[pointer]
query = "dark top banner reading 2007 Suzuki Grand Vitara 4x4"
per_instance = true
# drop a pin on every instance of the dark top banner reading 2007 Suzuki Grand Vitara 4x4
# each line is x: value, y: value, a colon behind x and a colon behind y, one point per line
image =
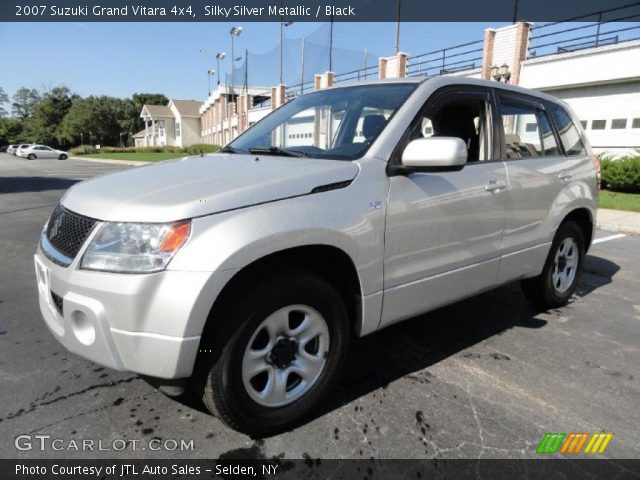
x: 303, y: 10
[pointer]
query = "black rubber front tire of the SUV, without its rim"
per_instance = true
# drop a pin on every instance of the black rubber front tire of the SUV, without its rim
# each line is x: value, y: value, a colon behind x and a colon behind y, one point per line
x: 220, y: 375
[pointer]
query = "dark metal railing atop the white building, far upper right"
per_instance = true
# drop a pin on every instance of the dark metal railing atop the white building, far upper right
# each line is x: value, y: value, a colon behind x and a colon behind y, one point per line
x: 553, y: 38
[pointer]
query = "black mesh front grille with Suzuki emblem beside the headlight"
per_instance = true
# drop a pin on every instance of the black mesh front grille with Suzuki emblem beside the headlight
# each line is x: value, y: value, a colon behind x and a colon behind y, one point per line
x: 67, y: 231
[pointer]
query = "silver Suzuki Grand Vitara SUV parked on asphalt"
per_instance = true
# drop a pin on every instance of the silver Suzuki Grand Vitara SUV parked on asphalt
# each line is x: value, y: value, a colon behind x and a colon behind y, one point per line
x: 340, y: 213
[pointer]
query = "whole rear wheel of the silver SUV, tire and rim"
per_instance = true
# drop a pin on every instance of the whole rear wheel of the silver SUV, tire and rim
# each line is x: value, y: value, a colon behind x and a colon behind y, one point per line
x: 559, y: 278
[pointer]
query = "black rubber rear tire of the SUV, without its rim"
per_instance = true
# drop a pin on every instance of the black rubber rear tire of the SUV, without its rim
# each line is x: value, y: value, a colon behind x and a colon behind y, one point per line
x: 540, y: 290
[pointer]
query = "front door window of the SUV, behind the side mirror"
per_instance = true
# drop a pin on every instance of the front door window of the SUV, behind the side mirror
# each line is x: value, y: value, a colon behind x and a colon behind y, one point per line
x: 453, y: 115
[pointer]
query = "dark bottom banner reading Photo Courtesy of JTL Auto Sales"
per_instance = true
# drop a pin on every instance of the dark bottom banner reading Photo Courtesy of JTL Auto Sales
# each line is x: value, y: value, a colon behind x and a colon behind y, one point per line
x: 310, y: 468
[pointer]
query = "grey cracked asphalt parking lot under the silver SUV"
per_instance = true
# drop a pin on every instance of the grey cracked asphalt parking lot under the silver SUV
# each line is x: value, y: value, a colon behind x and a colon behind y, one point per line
x: 487, y: 377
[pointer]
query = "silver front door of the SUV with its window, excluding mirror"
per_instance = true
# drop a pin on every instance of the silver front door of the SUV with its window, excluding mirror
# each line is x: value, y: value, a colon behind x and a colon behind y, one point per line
x: 444, y: 230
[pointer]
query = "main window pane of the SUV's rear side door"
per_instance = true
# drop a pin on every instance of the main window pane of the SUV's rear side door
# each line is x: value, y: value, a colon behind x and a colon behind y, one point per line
x: 522, y: 131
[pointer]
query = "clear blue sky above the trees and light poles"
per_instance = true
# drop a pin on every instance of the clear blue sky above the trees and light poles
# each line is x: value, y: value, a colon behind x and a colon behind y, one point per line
x: 119, y: 59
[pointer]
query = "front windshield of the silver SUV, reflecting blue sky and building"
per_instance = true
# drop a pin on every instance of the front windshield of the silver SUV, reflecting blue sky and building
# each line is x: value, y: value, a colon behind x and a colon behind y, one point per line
x: 339, y: 123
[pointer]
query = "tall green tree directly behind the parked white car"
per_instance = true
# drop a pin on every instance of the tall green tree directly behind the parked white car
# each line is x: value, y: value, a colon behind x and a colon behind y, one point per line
x: 47, y: 116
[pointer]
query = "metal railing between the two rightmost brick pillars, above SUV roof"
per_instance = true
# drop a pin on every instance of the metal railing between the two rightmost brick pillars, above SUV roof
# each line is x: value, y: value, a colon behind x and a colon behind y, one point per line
x: 466, y: 56
